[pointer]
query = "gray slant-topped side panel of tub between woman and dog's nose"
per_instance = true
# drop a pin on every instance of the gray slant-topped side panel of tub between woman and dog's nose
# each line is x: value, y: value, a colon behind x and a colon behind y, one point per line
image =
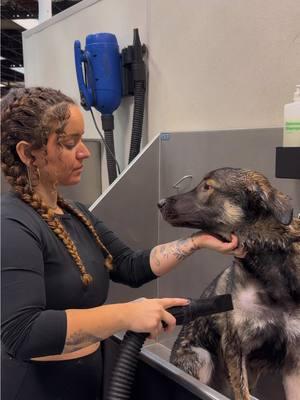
x: 129, y: 209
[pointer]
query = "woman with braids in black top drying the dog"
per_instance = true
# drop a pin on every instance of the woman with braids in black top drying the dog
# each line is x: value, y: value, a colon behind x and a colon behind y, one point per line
x: 57, y: 258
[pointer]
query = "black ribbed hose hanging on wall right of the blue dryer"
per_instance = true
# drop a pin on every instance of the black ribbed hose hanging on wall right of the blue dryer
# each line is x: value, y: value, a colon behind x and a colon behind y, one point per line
x: 137, y: 123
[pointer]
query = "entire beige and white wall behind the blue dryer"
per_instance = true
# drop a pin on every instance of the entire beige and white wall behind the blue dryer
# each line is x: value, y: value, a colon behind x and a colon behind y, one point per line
x: 213, y: 64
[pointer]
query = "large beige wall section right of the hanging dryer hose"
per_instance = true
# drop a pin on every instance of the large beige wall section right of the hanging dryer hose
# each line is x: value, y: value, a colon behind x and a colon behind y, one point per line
x: 217, y: 64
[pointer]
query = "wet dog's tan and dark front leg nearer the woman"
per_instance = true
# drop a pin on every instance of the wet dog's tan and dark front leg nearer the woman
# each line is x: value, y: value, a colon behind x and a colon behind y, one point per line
x: 236, y: 365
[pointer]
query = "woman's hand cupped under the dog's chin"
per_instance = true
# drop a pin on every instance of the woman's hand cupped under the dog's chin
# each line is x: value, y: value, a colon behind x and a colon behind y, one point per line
x: 204, y: 240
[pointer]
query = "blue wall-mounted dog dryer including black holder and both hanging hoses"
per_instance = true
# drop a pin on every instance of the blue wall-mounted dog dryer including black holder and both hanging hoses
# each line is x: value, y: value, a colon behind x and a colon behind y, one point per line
x: 107, y: 76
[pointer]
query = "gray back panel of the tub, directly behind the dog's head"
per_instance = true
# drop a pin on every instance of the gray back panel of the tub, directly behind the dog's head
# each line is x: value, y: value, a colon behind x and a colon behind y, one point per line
x: 197, y: 154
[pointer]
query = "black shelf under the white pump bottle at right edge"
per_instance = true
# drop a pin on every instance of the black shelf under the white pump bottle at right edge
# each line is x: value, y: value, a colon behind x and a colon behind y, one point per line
x: 288, y: 162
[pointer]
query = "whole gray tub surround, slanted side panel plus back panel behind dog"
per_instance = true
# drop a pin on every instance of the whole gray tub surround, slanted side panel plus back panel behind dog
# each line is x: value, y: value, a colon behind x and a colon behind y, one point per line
x: 129, y: 207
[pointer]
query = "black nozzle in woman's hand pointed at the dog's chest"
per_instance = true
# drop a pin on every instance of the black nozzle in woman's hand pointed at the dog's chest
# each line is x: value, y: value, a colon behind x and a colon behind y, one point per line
x: 201, y: 308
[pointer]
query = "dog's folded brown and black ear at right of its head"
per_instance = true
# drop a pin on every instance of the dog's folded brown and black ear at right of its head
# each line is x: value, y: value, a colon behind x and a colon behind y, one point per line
x: 272, y: 200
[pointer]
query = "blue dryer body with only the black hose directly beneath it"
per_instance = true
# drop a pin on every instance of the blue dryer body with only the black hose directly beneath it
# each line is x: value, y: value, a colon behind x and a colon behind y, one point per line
x: 101, y: 86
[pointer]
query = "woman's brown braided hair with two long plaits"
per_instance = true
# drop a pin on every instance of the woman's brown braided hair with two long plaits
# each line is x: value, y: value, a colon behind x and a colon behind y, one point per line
x: 31, y: 114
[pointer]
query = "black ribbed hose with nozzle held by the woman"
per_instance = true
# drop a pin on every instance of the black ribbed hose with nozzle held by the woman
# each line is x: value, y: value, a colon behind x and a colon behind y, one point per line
x: 125, y: 368
